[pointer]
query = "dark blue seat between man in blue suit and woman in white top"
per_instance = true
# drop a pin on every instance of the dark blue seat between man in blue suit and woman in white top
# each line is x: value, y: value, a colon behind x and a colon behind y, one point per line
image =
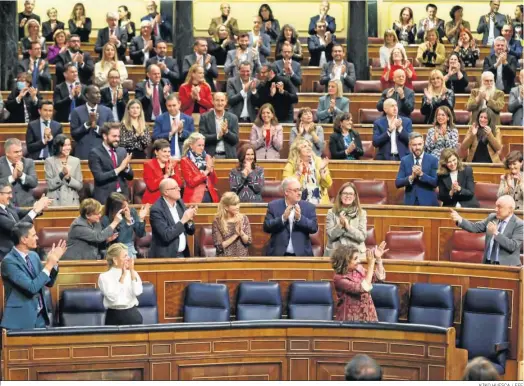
x: 82, y: 307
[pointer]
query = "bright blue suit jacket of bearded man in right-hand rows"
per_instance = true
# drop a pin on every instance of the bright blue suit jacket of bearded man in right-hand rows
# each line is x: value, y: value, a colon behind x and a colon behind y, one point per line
x: 423, y: 188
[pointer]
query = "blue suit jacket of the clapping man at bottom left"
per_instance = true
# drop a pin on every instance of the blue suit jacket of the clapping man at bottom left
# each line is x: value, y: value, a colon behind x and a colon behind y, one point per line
x: 22, y: 289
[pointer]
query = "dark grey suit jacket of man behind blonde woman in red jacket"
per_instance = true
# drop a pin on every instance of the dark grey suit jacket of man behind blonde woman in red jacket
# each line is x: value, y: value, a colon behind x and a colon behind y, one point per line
x: 207, y: 127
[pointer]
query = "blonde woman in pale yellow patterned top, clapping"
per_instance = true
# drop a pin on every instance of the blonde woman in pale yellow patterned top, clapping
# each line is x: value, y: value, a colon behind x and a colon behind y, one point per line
x: 311, y: 170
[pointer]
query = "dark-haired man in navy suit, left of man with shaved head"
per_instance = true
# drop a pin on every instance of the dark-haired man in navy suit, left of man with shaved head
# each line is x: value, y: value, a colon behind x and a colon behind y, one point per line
x: 40, y: 133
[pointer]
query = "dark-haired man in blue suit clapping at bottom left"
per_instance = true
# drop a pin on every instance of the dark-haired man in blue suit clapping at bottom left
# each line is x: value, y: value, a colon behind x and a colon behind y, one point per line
x: 24, y: 277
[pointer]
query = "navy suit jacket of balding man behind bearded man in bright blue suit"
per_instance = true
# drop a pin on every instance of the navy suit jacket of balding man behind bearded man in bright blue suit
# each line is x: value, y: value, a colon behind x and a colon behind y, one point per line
x: 381, y: 138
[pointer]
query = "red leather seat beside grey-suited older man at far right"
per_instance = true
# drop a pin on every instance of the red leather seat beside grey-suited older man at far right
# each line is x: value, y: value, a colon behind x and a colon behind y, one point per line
x: 467, y: 247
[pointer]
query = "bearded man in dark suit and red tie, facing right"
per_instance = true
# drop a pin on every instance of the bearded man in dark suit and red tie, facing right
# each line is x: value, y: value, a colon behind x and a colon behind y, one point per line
x: 109, y: 164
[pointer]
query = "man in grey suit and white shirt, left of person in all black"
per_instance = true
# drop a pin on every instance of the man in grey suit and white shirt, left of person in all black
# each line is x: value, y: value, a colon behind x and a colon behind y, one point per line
x: 239, y: 92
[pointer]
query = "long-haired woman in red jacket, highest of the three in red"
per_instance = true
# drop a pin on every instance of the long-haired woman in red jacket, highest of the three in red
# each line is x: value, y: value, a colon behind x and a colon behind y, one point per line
x: 195, y: 94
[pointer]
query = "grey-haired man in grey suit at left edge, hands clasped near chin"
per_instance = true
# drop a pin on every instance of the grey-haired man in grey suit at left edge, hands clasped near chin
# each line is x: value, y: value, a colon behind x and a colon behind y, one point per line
x: 19, y: 172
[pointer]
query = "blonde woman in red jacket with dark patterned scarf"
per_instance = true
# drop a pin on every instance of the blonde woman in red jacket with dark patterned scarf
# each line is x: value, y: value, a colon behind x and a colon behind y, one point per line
x: 198, y: 171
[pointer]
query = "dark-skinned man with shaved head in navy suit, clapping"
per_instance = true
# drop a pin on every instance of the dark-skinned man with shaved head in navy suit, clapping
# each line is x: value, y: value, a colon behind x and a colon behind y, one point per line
x: 87, y: 121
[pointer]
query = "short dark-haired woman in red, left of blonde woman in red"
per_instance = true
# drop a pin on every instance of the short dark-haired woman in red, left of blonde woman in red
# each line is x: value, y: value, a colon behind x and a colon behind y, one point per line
x: 160, y: 167
